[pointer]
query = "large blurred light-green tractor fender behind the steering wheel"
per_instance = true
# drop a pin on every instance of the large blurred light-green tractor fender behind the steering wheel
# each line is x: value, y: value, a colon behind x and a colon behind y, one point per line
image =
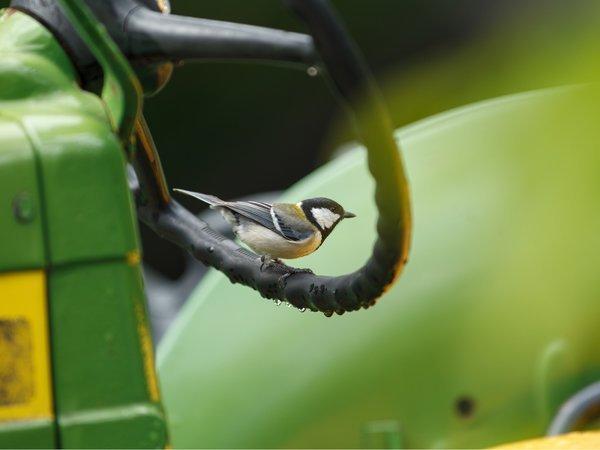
x: 493, y: 324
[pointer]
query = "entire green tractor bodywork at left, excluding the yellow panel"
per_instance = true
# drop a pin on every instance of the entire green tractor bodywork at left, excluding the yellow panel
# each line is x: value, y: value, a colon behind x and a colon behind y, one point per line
x: 57, y: 143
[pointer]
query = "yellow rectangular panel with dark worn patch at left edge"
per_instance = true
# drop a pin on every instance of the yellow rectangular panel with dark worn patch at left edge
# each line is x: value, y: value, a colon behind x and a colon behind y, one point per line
x: 24, y: 347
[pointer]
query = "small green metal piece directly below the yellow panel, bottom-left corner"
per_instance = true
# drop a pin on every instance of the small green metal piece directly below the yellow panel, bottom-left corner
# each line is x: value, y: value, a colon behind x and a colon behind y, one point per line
x: 27, y: 434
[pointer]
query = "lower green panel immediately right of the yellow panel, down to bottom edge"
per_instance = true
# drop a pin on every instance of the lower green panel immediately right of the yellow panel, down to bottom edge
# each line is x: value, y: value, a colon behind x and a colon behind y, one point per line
x: 105, y: 390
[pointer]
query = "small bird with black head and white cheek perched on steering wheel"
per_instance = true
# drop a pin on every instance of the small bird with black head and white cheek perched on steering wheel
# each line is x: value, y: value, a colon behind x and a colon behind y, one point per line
x: 280, y: 230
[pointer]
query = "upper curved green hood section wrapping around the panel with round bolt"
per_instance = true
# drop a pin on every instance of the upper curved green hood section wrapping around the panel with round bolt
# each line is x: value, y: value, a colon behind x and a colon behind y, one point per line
x: 82, y: 165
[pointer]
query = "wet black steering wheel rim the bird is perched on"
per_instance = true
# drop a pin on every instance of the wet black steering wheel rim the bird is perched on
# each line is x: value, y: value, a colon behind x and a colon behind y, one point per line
x: 304, y: 290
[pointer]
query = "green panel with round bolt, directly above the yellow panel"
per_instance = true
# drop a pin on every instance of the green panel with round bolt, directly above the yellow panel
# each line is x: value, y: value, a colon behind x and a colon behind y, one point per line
x: 21, y: 232
